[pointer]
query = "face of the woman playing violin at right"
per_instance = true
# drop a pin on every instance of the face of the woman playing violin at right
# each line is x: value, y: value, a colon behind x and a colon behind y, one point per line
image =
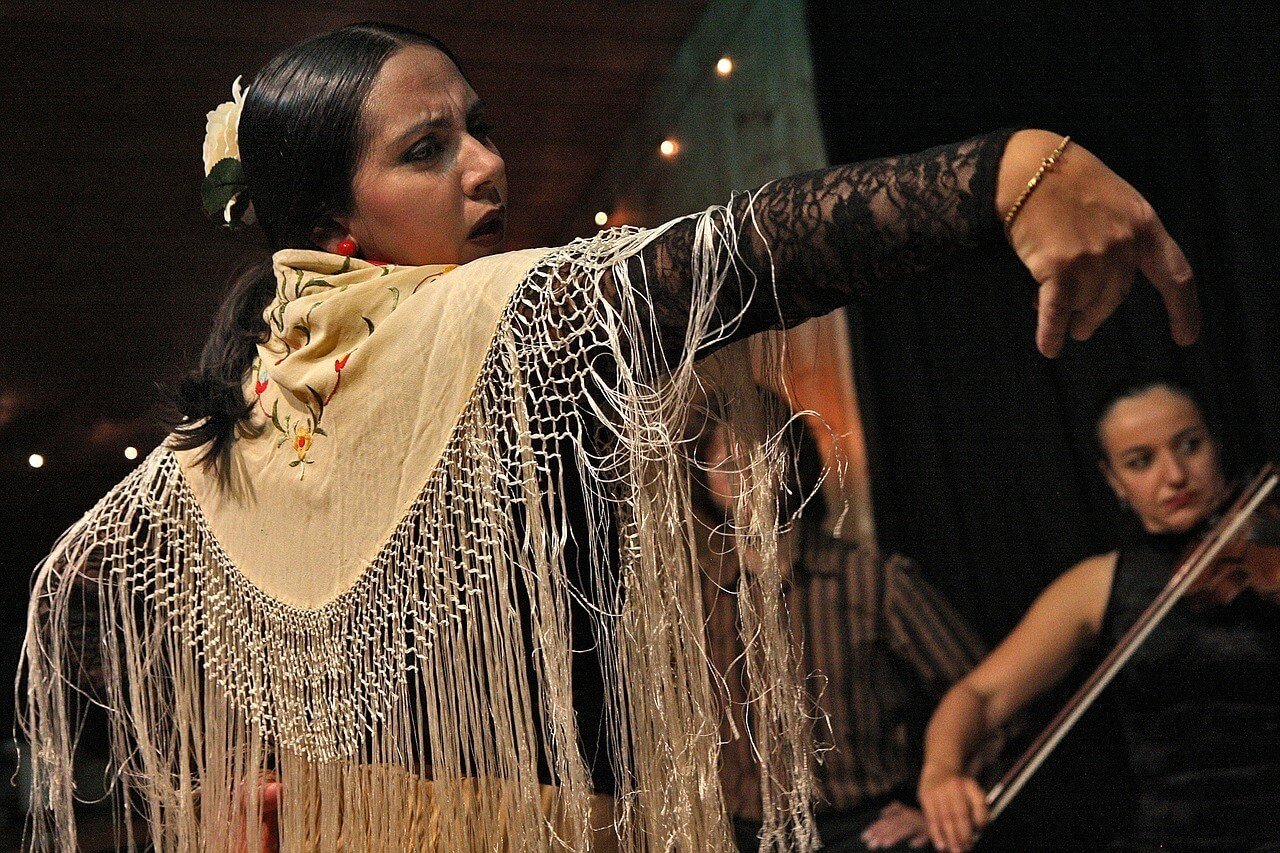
x: 1162, y: 460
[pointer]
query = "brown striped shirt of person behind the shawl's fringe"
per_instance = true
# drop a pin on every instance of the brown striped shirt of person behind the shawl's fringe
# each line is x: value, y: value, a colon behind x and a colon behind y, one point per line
x: 881, y: 646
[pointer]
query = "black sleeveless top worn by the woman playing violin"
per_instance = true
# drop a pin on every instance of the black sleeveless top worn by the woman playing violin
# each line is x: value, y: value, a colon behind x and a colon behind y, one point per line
x: 1201, y: 709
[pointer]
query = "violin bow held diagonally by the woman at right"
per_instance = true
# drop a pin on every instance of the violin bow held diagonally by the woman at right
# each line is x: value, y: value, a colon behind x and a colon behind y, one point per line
x: 1000, y: 796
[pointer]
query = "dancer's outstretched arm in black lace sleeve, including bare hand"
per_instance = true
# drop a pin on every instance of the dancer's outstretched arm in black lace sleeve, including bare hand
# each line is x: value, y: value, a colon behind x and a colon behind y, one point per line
x: 834, y: 236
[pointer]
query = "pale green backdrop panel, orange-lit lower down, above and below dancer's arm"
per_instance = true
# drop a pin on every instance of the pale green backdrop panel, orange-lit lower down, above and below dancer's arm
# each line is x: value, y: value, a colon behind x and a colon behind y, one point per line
x: 734, y: 134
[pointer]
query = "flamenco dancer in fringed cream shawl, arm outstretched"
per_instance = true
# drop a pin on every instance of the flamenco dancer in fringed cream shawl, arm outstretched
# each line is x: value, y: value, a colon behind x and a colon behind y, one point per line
x: 418, y: 548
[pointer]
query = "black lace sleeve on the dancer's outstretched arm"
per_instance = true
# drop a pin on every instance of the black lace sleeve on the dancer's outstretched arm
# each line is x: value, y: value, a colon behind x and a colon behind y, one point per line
x: 834, y: 236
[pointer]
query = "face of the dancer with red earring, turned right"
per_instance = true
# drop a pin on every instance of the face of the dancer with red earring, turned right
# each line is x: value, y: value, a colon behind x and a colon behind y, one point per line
x: 431, y: 186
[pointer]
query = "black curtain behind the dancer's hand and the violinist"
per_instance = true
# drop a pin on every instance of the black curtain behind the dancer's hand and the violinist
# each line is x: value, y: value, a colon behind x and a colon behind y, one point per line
x: 982, y: 457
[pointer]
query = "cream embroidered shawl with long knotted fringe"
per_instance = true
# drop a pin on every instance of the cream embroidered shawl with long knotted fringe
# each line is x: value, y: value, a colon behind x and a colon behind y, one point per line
x: 376, y: 604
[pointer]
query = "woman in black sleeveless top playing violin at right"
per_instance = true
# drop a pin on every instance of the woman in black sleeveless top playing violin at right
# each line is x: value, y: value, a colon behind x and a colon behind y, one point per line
x: 1200, y: 699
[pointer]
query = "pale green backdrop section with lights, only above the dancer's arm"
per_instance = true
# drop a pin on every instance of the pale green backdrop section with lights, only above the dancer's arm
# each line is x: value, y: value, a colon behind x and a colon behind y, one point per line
x: 734, y: 133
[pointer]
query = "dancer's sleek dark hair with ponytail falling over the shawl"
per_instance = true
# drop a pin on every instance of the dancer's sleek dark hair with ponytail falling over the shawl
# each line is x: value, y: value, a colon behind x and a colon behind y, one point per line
x: 300, y: 143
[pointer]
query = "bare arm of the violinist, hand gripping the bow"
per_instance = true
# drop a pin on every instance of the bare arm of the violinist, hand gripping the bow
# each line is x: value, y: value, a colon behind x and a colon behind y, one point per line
x: 1035, y: 656
